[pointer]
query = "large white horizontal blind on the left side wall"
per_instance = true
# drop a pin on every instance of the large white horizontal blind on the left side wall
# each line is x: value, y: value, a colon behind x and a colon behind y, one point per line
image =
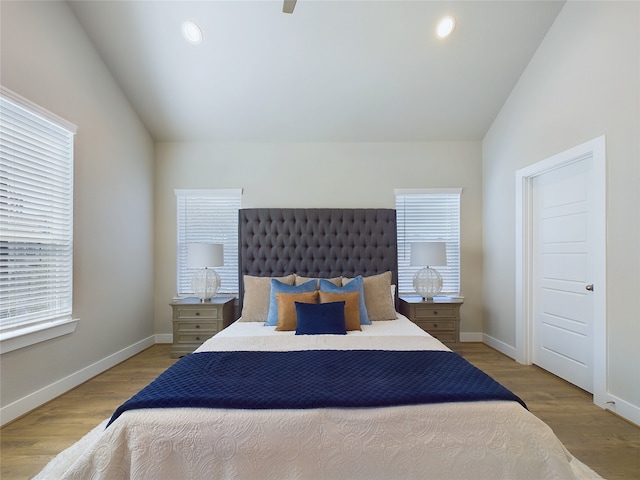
x: 36, y: 214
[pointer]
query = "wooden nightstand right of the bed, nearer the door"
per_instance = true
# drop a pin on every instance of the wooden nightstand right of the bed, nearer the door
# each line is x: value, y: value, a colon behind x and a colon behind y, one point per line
x: 439, y: 317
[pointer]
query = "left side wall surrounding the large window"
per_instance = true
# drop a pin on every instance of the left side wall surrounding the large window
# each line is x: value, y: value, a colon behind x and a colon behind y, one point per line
x: 47, y: 58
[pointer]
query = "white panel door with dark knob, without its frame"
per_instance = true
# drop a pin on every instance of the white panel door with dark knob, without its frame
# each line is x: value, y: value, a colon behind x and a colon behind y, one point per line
x: 562, y: 299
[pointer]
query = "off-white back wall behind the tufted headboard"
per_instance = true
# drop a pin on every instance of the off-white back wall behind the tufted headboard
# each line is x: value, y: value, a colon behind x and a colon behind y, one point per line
x: 351, y: 175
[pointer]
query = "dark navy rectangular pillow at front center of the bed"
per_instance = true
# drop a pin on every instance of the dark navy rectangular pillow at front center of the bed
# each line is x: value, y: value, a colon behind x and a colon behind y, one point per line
x: 321, y: 318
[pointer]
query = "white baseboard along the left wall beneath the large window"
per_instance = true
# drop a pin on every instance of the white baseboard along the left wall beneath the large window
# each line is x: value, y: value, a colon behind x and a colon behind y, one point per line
x: 38, y: 398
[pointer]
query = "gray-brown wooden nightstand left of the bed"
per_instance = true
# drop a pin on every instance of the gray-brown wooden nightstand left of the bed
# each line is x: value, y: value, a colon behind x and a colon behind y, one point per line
x: 195, y: 321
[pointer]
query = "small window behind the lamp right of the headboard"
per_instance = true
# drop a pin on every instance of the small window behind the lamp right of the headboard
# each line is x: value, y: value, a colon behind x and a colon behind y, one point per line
x: 429, y: 215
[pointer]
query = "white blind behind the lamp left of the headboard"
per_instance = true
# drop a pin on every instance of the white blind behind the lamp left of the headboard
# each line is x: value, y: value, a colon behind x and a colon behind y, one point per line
x: 208, y: 216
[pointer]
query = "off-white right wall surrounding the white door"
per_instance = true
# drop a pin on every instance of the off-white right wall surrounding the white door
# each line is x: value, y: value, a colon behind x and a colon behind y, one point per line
x: 583, y: 82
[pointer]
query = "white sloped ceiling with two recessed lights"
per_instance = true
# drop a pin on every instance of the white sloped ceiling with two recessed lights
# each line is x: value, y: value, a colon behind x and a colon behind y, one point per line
x: 360, y: 71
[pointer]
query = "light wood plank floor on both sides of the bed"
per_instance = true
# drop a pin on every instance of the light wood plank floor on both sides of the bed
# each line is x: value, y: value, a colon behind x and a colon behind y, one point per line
x: 608, y: 444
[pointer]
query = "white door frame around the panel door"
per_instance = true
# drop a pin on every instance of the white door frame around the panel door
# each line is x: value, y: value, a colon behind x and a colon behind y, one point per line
x: 595, y: 148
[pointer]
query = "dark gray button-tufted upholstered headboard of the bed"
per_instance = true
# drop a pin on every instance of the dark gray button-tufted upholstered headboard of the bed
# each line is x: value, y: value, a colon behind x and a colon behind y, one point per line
x: 316, y: 242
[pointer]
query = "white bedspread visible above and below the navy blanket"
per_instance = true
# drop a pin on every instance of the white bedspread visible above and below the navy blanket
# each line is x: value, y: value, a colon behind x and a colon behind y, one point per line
x: 480, y: 440
